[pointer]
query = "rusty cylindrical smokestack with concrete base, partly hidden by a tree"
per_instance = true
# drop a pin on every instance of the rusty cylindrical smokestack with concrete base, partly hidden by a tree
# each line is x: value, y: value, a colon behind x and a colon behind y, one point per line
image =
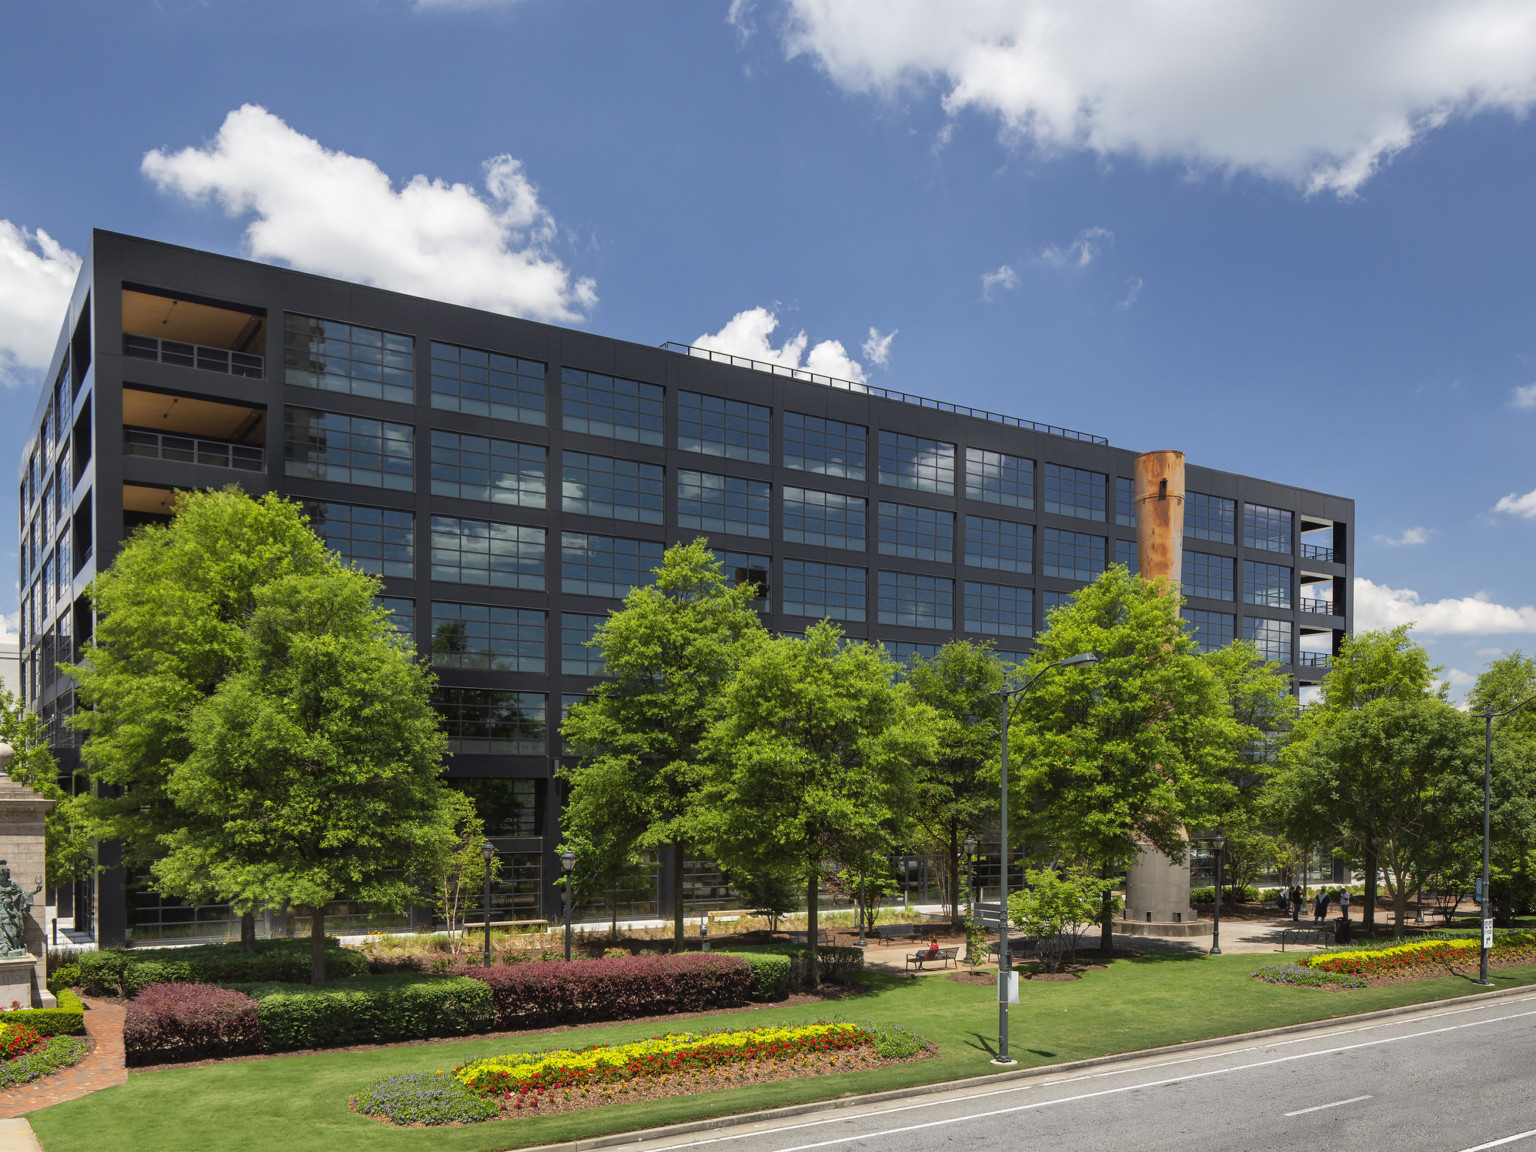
x: 1157, y: 890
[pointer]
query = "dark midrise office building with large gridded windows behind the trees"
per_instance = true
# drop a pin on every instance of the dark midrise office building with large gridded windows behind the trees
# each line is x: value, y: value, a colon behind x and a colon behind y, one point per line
x: 511, y: 482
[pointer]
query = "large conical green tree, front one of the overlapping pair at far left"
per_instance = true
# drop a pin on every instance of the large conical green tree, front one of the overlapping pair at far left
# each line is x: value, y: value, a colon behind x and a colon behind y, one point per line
x: 314, y: 767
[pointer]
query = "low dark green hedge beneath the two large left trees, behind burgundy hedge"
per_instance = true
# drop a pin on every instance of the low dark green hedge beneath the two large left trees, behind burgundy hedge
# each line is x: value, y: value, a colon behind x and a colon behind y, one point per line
x: 124, y: 972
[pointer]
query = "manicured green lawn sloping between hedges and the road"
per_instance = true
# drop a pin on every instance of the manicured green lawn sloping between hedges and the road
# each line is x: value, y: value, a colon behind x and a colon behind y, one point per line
x: 300, y: 1104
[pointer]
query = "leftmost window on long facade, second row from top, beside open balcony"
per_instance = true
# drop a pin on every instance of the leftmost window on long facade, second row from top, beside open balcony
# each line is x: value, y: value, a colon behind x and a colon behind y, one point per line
x: 346, y: 449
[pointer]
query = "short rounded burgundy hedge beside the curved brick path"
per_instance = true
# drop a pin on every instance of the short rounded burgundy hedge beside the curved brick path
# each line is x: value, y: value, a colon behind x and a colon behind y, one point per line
x: 170, y: 1024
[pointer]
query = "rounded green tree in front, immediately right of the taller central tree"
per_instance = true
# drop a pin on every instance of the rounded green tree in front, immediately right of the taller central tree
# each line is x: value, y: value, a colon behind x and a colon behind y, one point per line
x: 813, y: 760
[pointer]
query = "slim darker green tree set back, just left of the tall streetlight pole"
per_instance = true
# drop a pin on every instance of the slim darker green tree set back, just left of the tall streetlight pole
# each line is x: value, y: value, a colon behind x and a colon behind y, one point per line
x: 959, y: 790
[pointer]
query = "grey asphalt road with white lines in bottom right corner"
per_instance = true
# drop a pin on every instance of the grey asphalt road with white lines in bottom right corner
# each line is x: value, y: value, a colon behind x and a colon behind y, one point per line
x: 1448, y: 1079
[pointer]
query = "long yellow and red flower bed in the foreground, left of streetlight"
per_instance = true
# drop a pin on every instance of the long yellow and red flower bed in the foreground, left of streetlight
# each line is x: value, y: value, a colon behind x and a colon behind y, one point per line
x: 561, y: 1081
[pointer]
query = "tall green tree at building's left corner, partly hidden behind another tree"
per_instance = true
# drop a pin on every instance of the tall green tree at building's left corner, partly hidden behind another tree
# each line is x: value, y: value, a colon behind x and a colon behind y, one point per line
x: 171, y: 618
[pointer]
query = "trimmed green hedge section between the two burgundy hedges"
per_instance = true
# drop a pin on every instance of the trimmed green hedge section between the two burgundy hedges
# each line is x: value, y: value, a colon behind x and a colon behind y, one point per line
x: 374, y: 1010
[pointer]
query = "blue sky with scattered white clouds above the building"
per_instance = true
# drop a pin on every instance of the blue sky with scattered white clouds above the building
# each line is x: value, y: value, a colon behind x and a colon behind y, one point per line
x: 1293, y: 240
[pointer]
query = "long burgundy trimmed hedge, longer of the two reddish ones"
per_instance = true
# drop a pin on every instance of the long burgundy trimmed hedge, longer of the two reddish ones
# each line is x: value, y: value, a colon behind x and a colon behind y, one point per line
x: 581, y: 991
